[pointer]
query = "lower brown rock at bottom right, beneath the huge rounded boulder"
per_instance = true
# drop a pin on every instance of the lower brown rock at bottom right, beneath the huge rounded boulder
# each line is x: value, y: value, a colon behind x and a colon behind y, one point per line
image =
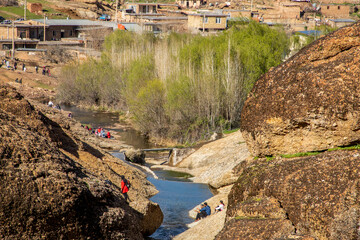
x: 313, y: 197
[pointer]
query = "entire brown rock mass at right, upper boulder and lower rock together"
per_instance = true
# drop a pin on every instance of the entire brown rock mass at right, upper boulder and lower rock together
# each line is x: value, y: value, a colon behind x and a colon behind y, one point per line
x: 309, y: 103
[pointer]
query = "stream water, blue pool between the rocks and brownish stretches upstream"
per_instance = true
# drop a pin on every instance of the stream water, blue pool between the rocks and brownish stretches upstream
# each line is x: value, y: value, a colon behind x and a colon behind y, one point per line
x: 177, y: 195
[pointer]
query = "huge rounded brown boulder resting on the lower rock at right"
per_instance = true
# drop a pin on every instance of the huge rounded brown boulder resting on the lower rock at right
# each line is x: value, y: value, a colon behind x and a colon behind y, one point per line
x: 310, y: 102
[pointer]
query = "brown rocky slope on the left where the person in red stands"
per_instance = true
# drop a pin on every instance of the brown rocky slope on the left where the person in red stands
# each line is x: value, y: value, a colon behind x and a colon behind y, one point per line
x: 55, y: 185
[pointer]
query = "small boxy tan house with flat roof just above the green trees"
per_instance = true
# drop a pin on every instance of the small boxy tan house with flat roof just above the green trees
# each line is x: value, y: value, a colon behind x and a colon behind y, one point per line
x: 208, y: 22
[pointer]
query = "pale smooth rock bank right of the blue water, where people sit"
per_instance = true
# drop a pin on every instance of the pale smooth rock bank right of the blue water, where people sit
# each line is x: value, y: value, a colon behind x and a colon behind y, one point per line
x: 212, y: 164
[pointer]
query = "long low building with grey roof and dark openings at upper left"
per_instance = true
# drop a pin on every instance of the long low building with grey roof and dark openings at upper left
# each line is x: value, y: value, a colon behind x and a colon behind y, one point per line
x: 29, y: 34
